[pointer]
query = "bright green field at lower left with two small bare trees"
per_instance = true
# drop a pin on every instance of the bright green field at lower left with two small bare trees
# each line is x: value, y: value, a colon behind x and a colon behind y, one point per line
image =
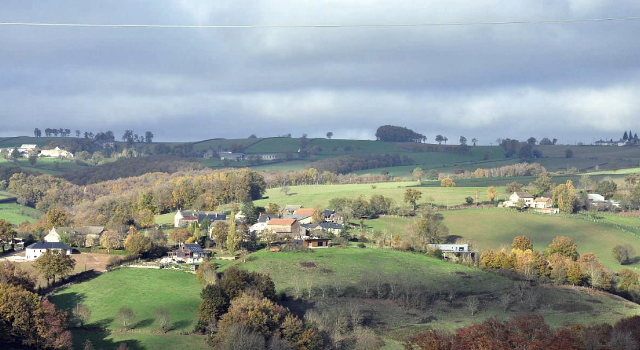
x: 144, y: 291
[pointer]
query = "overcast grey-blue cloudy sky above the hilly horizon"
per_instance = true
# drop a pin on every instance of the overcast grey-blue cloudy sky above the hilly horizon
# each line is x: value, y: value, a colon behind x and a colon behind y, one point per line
x: 574, y: 82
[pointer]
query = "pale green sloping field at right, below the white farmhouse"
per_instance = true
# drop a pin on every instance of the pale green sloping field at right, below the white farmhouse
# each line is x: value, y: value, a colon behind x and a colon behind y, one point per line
x: 496, y: 228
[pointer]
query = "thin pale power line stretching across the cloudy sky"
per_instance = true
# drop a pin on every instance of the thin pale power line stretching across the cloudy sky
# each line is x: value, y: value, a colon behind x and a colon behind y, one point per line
x: 292, y: 26
